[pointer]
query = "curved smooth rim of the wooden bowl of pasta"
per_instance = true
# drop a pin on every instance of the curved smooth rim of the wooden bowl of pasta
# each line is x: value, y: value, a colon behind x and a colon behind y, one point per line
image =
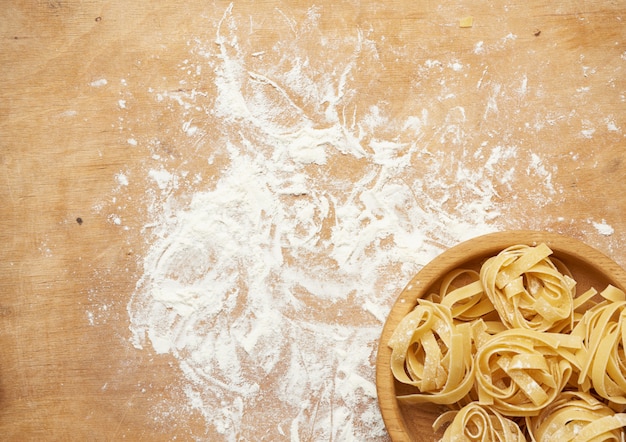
x: 454, y: 257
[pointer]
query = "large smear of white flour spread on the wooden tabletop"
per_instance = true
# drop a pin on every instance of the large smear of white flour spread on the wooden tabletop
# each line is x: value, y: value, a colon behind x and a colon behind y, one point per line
x: 270, y: 280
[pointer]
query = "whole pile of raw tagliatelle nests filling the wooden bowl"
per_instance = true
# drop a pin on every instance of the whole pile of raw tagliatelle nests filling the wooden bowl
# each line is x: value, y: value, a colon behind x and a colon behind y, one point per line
x: 511, y: 349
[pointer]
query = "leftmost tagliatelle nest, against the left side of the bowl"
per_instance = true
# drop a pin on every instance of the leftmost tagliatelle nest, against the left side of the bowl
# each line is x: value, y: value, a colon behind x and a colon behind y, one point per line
x: 433, y: 354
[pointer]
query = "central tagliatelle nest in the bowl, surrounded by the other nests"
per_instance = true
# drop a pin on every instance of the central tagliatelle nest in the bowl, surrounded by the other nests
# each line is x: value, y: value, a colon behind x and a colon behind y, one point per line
x: 519, y: 371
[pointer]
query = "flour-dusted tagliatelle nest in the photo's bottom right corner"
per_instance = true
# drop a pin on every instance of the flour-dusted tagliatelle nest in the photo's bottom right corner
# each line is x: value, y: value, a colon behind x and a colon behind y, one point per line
x: 576, y: 417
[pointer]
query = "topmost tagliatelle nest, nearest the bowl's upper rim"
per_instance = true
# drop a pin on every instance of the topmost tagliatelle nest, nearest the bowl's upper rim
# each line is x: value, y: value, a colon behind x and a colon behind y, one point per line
x: 528, y: 290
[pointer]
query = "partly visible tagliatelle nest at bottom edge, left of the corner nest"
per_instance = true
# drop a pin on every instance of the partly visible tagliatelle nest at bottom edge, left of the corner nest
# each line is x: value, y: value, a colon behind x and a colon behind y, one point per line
x: 477, y: 423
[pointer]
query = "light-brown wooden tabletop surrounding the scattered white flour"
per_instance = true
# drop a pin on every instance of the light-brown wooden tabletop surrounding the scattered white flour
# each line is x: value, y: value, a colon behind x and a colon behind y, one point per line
x: 547, y: 78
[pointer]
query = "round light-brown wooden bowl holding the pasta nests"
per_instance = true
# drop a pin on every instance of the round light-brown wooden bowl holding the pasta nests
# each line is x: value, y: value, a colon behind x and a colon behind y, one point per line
x: 589, y: 267
